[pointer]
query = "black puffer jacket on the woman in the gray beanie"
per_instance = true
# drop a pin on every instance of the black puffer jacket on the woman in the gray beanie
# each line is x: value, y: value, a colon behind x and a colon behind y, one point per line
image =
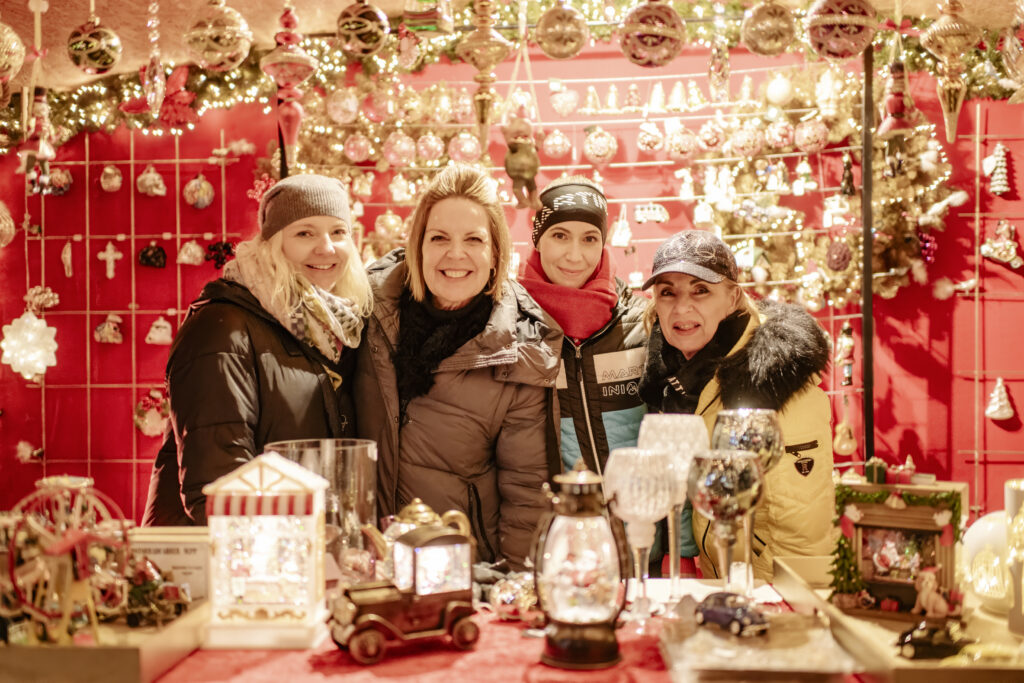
x: 238, y: 380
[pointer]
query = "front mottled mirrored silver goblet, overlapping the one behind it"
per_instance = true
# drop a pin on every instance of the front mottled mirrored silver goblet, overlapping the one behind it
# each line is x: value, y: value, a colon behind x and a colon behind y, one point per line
x: 724, y: 486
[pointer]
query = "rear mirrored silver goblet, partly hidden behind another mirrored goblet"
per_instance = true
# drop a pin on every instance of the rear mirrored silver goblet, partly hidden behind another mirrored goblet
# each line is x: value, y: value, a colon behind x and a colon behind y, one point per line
x: 757, y: 431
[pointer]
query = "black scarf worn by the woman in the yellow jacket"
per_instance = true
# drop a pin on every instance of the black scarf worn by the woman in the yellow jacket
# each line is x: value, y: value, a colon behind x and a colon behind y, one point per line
x: 673, y: 385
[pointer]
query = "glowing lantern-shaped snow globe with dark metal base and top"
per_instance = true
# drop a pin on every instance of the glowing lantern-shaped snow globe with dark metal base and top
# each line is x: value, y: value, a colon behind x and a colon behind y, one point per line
x: 580, y: 563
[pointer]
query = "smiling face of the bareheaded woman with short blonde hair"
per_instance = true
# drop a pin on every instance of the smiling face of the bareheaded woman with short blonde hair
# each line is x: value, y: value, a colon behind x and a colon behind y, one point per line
x: 458, y: 255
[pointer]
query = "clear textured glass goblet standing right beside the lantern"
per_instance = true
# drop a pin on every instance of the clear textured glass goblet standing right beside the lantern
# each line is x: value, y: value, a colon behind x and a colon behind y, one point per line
x: 639, y: 494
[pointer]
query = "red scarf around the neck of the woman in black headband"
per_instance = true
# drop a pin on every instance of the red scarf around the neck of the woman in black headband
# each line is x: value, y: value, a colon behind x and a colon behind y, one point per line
x: 582, y: 312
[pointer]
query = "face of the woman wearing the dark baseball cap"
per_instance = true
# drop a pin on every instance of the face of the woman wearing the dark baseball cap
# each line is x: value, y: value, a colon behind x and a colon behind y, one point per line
x: 690, y: 310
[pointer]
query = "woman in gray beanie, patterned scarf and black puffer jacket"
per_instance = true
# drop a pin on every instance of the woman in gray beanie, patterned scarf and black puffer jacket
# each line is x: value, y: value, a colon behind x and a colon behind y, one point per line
x: 268, y: 352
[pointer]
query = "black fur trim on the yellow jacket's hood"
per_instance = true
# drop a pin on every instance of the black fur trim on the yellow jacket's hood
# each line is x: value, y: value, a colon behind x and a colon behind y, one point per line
x: 776, y: 361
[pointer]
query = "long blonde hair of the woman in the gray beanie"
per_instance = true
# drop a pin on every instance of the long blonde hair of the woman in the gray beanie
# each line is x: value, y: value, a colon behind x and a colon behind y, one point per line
x: 269, y: 258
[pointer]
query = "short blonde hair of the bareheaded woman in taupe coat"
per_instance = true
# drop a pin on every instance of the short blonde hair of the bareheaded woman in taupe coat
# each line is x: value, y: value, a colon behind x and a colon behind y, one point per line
x: 473, y: 184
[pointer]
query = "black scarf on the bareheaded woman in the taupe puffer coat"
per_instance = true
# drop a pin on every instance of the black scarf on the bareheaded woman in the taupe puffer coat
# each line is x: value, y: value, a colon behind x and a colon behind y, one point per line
x: 428, y: 335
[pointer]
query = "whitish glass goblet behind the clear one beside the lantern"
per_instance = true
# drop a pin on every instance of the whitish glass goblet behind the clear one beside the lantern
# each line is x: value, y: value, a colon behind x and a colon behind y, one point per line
x: 684, y: 437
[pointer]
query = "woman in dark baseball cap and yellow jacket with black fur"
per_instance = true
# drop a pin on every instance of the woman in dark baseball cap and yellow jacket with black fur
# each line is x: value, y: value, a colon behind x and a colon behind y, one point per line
x: 711, y: 348
